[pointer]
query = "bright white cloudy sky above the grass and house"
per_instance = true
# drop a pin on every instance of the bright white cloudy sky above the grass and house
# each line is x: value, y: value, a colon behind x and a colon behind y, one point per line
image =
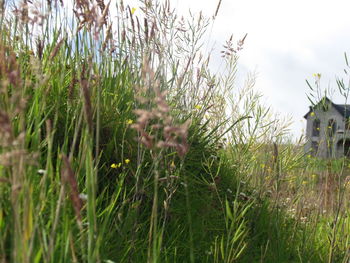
x: 288, y: 41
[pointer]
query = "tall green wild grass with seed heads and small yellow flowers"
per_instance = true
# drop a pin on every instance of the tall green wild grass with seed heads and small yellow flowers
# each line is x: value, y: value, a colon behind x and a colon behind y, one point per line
x: 118, y: 144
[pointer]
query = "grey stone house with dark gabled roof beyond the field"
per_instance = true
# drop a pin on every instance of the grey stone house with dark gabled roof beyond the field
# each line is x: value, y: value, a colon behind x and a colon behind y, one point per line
x: 328, y: 129
